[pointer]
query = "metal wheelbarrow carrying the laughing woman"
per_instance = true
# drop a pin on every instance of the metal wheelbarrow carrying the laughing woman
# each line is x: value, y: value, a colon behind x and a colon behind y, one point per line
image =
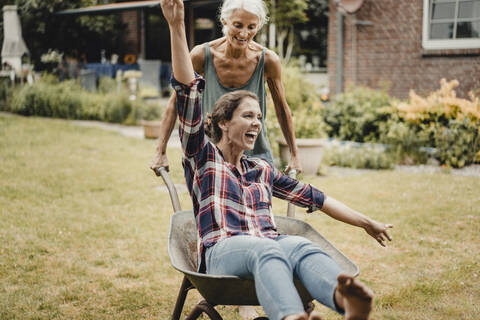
x: 228, y: 290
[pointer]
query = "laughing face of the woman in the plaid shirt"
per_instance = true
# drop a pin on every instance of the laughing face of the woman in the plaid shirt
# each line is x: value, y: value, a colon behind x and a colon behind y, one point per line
x: 242, y: 130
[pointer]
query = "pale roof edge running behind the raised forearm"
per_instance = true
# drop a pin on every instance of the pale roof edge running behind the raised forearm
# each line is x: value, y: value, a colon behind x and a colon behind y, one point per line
x: 121, y: 6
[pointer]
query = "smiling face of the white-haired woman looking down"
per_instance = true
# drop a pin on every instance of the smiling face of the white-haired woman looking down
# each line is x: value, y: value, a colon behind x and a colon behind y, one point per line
x: 241, y: 28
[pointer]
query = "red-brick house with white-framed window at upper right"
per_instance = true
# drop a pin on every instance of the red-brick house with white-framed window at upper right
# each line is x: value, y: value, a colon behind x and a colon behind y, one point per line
x: 408, y: 44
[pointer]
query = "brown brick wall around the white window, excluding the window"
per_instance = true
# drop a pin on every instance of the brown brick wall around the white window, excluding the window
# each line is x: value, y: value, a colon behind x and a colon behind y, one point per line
x: 389, y: 52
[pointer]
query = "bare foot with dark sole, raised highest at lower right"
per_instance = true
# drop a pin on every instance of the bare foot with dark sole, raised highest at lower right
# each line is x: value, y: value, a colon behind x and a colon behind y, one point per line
x: 357, y: 298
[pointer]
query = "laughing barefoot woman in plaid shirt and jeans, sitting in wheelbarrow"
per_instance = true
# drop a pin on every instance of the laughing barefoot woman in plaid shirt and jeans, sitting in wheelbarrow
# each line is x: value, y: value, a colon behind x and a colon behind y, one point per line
x: 231, y: 195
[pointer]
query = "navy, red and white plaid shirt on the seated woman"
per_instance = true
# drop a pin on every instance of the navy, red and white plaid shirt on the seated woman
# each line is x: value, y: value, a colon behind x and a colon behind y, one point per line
x: 225, y: 202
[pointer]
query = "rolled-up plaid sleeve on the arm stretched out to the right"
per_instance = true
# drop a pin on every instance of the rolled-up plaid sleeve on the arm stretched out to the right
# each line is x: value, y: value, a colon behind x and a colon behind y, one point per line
x: 299, y: 193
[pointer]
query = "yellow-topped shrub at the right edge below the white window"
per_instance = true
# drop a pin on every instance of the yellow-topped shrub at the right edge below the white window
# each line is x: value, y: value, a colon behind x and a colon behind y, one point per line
x: 449, y: 124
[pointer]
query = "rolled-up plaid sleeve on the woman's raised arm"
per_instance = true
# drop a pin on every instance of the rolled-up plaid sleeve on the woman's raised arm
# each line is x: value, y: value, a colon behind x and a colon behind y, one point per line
x: 189, y: 107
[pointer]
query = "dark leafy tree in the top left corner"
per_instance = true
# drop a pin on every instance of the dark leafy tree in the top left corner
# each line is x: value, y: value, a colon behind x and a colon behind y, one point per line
x: 42, y: 29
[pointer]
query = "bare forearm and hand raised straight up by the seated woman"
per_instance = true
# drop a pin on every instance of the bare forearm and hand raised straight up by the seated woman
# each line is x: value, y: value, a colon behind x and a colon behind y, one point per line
x: 174, y: 13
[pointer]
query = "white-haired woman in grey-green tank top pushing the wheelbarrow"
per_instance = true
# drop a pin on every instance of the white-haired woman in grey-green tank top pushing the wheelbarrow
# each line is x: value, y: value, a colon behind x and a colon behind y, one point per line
x: 236, y: 62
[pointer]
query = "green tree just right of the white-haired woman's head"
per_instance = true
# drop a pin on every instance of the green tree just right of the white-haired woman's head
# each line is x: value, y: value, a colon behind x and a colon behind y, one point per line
x: 285, y: 14
